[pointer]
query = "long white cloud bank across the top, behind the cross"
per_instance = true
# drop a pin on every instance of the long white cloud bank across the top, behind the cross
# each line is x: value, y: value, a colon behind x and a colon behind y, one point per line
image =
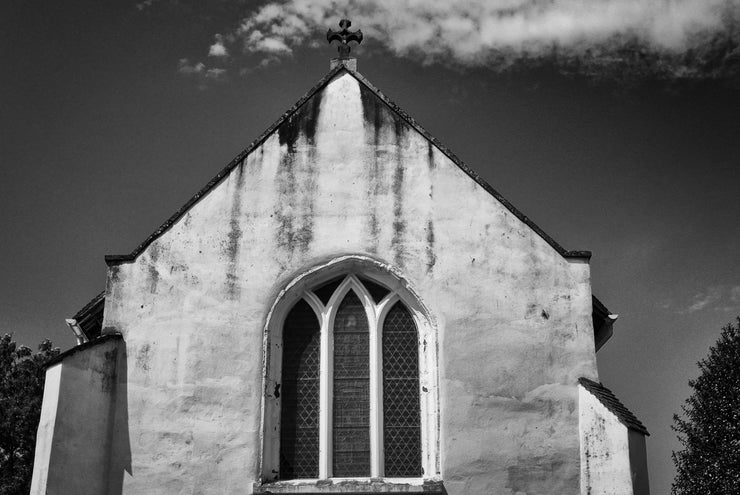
x: 489, y: 32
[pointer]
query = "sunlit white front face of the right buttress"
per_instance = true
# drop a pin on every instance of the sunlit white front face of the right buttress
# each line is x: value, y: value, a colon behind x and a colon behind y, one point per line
x: 605, y: 449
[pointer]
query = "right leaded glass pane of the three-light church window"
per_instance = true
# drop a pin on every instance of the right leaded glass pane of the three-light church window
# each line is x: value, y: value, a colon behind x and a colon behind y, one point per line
x: 401, y: 405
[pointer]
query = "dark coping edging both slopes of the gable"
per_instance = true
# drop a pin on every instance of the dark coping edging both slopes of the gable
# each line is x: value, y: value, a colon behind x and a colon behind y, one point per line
x: 115, y: 259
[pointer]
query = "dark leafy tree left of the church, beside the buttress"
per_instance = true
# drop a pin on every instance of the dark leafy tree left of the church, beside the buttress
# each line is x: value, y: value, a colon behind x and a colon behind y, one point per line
x: 21, y: 393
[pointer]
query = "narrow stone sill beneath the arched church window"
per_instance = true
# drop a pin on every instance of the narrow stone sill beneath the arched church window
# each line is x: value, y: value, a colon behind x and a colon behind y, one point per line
x: 359, y: 486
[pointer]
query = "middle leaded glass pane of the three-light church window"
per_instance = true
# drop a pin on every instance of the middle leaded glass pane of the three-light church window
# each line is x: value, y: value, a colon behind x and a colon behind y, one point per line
x: 351, y: 383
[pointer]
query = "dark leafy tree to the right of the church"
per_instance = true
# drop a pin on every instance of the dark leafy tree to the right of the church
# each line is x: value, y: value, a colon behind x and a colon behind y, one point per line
x: 710, y: 429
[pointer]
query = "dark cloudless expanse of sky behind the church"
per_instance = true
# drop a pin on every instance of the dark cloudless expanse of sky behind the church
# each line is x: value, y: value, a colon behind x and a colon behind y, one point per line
x: 102, y: 138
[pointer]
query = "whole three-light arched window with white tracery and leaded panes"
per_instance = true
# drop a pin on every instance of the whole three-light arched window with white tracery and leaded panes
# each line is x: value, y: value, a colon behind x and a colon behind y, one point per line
x: 348, y: 396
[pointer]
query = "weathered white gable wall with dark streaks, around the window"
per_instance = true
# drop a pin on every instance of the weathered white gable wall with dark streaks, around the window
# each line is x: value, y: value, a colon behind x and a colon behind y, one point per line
x: 346, y: 175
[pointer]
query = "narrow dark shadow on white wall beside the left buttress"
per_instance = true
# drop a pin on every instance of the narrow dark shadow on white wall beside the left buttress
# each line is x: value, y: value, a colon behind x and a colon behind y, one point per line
x: 119, y: 460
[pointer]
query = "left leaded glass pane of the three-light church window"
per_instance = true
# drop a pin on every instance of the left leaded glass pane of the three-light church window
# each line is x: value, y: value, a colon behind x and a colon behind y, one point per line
x: 299, y: 393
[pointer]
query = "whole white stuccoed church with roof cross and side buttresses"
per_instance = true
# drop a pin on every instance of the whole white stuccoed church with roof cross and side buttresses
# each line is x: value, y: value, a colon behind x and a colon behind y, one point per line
x: 346, y: 307
